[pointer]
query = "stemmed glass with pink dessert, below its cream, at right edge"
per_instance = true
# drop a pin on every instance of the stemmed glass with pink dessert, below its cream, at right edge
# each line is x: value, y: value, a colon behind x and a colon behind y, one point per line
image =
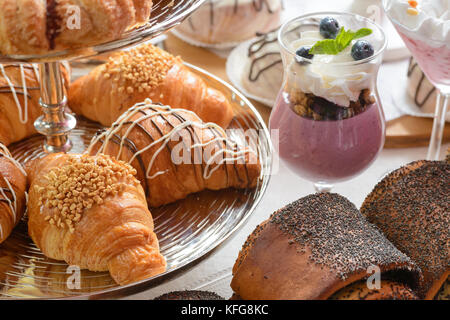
x: 433, y: 57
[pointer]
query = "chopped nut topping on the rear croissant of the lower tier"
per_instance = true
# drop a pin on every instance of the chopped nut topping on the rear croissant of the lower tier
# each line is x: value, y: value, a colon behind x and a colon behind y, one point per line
x: 142, y: 68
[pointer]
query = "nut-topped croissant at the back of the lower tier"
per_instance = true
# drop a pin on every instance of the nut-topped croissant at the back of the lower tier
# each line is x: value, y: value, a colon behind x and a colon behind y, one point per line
x: 145, y: 72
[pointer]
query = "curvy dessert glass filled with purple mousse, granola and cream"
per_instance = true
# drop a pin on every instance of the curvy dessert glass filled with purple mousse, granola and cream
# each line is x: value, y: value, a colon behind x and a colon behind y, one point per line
x: 318, y: 136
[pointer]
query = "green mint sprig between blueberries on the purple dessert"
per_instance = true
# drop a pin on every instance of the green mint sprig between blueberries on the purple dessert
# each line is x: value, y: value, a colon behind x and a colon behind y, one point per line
x: 342, y: 41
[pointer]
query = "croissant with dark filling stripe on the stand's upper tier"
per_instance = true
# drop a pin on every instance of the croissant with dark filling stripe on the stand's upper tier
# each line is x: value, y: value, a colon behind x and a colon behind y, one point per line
x: 36, y: 27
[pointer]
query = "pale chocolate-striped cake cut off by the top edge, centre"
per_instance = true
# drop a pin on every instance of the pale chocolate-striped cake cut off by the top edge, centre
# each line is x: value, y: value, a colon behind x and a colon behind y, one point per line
x: 230, y: 21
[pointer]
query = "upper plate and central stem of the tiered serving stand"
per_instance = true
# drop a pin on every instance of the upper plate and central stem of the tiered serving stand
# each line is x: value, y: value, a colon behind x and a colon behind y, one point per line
x: 55, y: 123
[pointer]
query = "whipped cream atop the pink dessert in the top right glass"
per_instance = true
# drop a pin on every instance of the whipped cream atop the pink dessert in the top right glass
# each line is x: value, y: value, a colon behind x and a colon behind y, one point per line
x: 431, y: 25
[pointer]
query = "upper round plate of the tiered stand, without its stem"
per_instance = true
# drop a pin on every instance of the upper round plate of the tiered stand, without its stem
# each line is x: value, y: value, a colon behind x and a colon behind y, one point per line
x: 165, y: 15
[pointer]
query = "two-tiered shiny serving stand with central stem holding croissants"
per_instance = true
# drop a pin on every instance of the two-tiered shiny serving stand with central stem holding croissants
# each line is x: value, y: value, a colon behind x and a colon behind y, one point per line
x: 187, y: 230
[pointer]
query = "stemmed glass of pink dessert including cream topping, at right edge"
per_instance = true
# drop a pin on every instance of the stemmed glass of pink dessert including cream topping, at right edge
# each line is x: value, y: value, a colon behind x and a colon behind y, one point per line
x: 432, y: 55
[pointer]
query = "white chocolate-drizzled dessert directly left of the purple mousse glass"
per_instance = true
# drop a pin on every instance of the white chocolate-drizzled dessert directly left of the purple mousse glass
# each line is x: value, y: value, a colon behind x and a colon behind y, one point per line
x: 263, y: 71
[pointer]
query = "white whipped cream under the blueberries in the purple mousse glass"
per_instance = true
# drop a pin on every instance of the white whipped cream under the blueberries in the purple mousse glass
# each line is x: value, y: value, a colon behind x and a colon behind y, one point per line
x: 325, y: 78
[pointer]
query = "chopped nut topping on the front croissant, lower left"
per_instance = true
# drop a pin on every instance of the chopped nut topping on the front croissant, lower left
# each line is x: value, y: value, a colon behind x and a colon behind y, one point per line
x: 80, y: 184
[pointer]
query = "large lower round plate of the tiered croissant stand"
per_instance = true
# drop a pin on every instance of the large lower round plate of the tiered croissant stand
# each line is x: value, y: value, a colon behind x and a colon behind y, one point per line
x: 187, y: 230
